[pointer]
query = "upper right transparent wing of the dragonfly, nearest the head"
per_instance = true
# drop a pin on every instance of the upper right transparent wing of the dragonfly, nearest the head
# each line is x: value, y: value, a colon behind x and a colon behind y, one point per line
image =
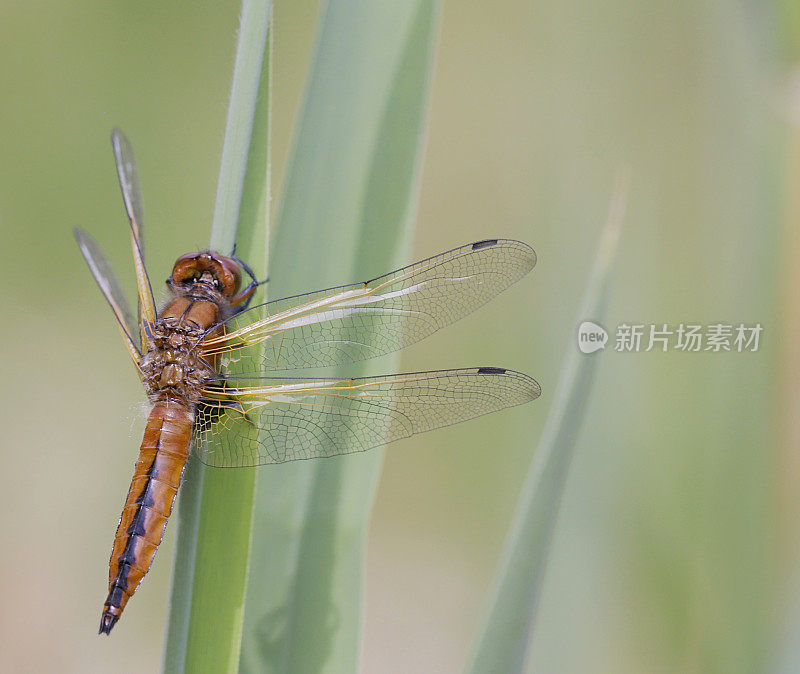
x: 364, y: 320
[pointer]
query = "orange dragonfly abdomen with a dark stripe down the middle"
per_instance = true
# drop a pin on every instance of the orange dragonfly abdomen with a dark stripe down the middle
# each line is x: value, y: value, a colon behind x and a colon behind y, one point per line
x: 155, y: 483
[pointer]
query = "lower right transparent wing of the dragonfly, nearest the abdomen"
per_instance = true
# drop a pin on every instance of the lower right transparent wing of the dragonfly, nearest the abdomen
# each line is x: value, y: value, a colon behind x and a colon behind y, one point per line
x: 276, y: 420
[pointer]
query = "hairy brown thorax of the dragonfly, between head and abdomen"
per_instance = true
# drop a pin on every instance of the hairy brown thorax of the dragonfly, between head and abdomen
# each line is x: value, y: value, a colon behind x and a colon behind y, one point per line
x: 174, y: 366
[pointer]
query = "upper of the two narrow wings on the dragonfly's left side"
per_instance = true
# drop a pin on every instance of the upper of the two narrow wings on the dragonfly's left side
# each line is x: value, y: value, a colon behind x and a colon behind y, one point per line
x: 132, y: 196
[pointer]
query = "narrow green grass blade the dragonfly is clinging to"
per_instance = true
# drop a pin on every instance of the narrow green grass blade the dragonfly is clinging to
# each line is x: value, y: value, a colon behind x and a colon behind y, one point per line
x: 216, y: 506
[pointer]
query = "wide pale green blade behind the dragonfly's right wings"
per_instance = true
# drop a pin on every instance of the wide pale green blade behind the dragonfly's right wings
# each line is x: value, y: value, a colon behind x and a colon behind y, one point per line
x: 346, y: 212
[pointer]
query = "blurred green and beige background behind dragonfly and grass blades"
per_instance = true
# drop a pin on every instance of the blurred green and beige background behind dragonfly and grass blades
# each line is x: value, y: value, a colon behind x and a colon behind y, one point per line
x: 677, y: 543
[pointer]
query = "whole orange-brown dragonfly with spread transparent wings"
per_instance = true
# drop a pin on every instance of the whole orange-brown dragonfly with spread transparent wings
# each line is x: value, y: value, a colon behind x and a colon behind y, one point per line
x: 208, y: 363
